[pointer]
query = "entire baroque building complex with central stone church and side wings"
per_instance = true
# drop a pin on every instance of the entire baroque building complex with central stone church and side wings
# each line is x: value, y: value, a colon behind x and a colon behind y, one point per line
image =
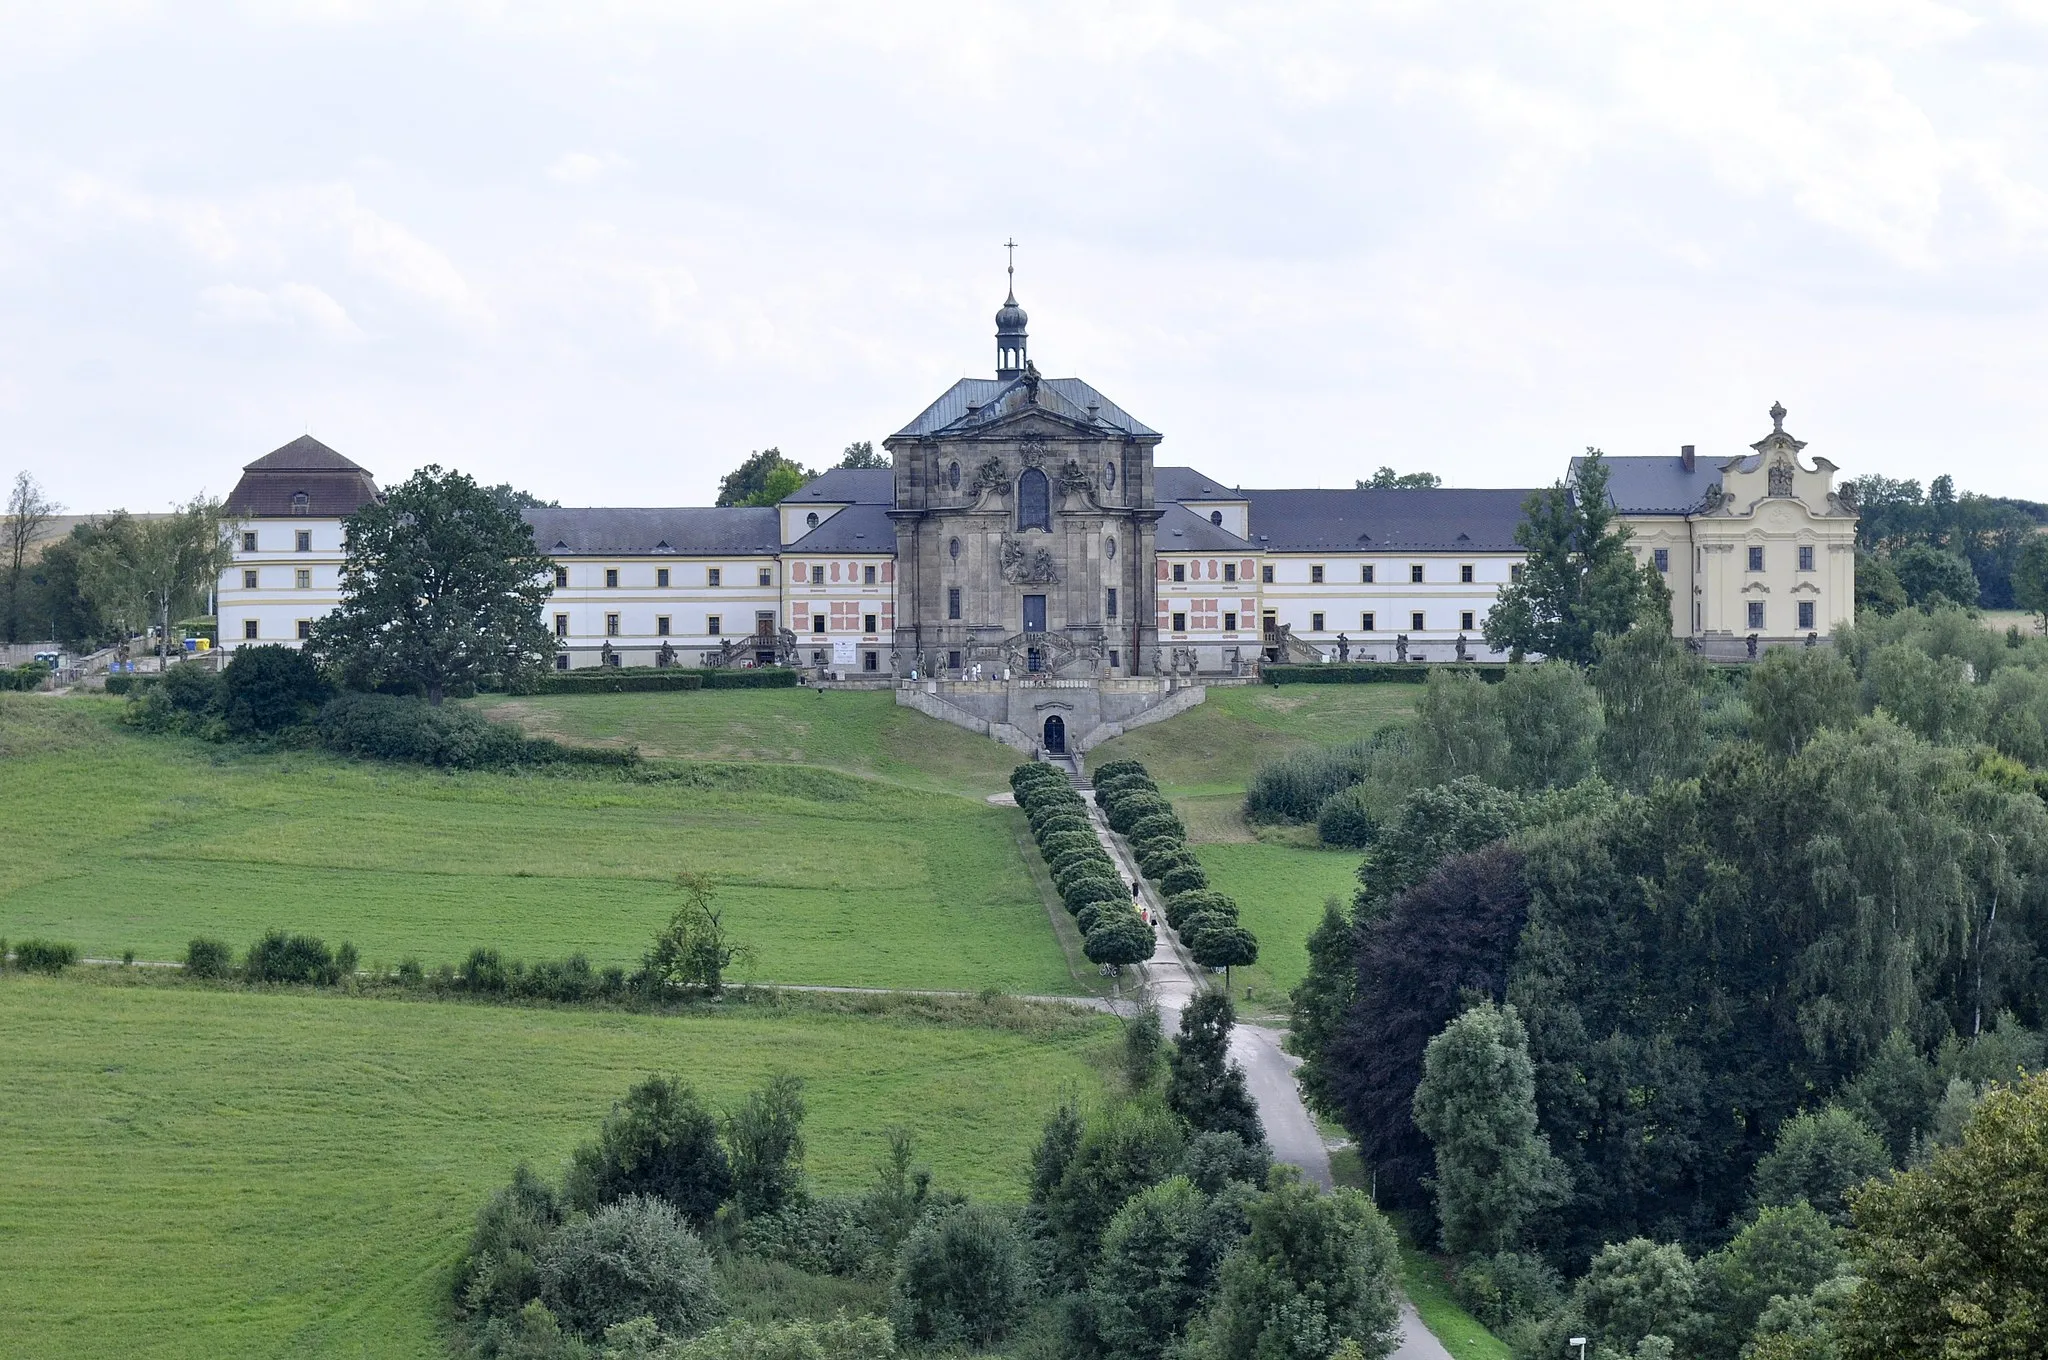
x: 1025, y: 536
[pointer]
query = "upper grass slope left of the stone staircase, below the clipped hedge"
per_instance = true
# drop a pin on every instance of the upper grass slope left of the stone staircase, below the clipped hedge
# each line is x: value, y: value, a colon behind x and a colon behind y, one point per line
x: 861, y: 732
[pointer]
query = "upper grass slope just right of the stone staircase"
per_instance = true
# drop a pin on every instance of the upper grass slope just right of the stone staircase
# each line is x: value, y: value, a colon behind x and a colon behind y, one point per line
x: 1215, y: 747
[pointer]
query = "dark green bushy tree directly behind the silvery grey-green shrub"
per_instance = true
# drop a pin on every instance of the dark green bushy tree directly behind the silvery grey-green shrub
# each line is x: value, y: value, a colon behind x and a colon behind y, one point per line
x: 656, y: 1142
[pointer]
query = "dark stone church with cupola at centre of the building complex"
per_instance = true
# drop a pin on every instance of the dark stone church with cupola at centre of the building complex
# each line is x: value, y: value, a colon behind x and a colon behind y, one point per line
x: 1025, y: 525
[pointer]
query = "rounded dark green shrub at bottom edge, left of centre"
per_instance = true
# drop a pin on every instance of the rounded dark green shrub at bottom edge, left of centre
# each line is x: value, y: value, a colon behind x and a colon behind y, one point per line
x: 962, y: 1279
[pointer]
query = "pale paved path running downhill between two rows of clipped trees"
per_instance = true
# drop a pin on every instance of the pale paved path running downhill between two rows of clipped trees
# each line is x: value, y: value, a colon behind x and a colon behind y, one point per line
x: 1291, y: 1132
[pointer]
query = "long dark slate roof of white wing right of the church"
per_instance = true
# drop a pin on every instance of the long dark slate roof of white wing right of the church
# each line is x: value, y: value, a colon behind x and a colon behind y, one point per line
x: 1441, y: 521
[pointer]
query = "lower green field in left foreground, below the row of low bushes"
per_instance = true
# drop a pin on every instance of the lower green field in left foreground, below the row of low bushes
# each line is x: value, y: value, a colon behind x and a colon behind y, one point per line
x: 191, y: 1173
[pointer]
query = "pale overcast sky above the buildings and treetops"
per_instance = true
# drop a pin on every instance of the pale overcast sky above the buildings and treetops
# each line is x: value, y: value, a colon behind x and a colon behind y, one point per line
x: 607, y: 249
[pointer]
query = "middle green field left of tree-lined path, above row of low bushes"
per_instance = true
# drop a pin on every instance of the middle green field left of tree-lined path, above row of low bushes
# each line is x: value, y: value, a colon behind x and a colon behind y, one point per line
x: 118, y: 841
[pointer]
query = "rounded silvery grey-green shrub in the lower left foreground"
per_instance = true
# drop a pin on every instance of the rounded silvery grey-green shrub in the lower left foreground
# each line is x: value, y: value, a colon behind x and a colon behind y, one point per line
x: 632, y: 1259
